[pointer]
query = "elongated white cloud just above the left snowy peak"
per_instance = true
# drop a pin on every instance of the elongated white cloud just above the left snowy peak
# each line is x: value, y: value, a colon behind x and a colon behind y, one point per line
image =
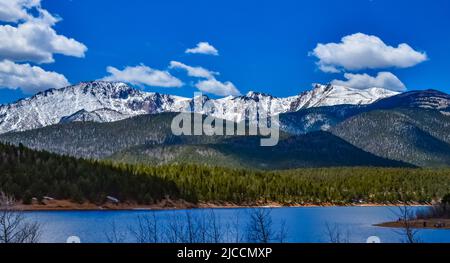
x: 143, y: 76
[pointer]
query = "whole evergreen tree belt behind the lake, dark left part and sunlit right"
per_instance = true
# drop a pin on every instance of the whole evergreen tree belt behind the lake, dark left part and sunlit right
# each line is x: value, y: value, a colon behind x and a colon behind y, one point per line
x: 27, y: 174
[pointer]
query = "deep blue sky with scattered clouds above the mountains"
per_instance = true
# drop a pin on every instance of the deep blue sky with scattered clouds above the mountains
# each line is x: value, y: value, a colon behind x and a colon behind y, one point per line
x: 262, y: 45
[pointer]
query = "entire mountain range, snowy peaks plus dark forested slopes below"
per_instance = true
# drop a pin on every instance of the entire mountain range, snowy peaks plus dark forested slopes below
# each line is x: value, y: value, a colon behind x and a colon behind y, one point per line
x: 327, y: 126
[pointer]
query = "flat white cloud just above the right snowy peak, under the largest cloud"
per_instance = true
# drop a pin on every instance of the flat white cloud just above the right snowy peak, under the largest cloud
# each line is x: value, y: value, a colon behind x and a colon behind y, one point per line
x: 384, y: 80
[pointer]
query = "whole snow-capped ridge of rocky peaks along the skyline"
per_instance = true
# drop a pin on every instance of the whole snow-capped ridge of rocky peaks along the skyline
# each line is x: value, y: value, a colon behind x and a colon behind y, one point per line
x: 101, y: 101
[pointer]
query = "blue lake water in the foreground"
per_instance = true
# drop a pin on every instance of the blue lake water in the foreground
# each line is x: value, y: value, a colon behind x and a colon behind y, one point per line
x: 304, y: 225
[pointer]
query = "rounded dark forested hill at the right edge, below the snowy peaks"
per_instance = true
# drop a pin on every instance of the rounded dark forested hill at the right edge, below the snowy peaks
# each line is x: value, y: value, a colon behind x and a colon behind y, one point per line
x: 416, y: 136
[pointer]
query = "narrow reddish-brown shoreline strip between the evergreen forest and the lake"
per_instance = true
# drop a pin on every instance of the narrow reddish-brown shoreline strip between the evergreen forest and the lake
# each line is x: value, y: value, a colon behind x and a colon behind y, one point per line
x: 64, y: 205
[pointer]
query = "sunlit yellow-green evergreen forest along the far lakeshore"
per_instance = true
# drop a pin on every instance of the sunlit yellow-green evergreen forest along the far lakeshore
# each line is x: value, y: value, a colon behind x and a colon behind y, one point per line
x: 320, y: 185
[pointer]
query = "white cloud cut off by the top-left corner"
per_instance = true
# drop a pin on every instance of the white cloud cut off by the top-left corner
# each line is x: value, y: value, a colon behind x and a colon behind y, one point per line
x: 17, y: 10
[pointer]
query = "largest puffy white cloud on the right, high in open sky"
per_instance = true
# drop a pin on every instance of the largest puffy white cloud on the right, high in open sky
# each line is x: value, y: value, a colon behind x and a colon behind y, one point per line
x: 360, y: 51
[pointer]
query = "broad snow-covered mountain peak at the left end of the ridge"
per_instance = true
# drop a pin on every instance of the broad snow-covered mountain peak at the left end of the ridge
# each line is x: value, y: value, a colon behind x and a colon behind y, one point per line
x: 52, y: 106
